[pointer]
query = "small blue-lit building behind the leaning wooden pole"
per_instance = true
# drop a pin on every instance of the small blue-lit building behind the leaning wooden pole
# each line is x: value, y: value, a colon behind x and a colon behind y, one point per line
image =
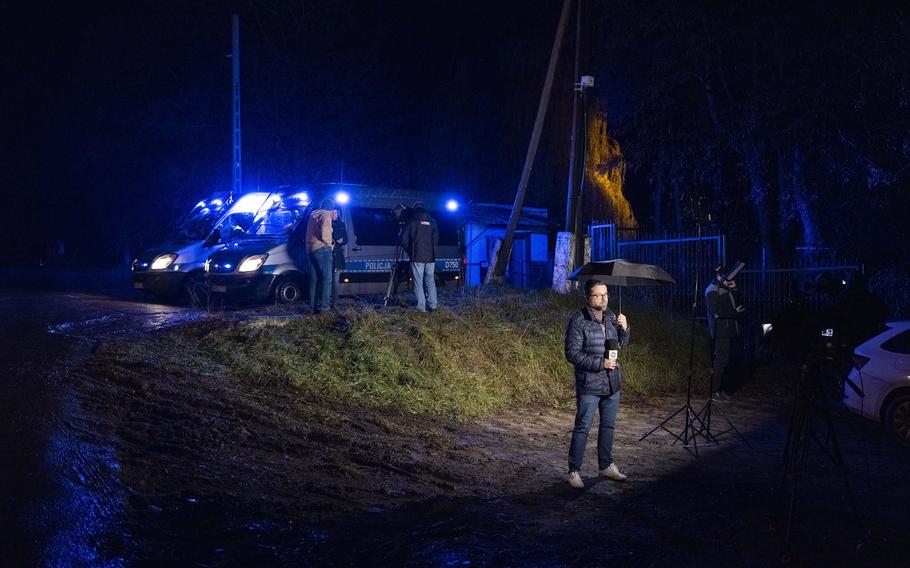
x: 530, y: 265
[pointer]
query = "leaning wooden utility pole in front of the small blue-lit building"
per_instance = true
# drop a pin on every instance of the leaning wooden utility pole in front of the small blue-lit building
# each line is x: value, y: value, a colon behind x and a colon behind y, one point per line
x: 501, y: 259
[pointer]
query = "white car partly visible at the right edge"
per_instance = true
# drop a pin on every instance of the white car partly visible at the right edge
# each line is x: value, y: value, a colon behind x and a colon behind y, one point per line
x: 881, y: 370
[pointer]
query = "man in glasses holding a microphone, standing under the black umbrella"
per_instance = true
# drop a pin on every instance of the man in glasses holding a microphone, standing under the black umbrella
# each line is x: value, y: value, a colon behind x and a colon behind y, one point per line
x: 593, y: 334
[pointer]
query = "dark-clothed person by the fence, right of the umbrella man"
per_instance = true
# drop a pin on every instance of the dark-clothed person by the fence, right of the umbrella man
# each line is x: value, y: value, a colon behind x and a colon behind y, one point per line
x: 723, y: 326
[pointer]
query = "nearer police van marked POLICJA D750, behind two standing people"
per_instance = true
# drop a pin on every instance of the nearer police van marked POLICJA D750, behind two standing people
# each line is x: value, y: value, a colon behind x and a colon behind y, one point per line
x: 270, y: 264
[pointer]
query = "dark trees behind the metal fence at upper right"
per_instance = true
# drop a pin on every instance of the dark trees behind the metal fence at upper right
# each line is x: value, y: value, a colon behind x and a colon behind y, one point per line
x: 787, y: 123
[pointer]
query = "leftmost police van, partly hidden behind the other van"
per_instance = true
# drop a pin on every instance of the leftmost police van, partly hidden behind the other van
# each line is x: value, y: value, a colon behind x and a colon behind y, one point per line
x: 174, y: 269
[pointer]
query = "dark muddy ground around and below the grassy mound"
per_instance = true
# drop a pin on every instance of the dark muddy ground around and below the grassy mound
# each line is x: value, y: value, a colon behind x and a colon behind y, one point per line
x: 188, y: 469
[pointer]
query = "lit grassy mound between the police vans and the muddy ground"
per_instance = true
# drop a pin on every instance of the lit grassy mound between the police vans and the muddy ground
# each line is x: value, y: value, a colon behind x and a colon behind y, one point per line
x: 491, y: 349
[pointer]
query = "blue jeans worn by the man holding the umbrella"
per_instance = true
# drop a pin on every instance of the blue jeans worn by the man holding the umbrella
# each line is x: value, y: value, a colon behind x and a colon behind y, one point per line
x: 587, y: 407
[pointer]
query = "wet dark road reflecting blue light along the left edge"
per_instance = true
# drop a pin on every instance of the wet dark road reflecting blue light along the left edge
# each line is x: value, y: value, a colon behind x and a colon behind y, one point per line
x: 61, y: 497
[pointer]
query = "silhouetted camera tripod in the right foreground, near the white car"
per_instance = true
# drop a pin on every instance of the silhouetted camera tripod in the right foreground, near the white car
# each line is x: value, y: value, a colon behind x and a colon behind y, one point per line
x: 810, y: 399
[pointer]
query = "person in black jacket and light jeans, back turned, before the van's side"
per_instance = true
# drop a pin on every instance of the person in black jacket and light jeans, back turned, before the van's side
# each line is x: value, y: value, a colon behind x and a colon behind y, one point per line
x: 420, y: 239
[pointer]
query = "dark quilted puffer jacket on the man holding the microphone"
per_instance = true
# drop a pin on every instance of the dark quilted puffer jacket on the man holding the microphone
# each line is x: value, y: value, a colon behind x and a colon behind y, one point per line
x: 586, y: 347
